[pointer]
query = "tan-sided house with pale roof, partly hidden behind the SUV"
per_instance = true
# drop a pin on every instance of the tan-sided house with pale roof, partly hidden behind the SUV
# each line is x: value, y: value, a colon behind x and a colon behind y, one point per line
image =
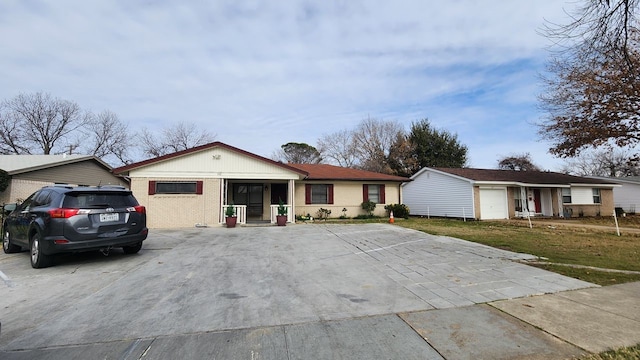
x: 31, y: 172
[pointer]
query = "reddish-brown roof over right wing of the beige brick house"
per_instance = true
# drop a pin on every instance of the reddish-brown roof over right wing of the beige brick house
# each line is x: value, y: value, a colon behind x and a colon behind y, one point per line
x: 331, y: 172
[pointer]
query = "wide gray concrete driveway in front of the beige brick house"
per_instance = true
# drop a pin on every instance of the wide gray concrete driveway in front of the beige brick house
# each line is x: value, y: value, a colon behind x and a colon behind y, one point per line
x: 333, y: 291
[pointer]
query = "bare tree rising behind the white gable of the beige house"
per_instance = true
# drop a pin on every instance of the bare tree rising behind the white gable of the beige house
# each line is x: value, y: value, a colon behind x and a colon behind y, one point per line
x: 177, y: 137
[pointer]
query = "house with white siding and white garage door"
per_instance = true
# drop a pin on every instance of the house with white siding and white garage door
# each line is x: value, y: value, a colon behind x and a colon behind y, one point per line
x: 502, y: 194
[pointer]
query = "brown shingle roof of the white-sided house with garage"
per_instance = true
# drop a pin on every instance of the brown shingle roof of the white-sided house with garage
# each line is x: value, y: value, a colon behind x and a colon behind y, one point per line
x: 526, y: 177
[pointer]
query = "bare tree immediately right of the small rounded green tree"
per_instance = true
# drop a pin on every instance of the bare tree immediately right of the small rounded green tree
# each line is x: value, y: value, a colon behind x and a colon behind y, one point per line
x: 339, y: 148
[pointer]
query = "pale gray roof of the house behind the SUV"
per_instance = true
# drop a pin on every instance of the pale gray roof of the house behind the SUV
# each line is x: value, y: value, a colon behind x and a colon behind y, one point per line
x: 18, y: 164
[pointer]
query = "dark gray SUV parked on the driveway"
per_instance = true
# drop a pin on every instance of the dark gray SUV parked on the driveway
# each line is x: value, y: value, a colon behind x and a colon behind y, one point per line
x: 64, y: 219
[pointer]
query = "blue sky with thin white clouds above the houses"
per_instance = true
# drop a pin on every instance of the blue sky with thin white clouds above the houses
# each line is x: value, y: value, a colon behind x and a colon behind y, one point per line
x: 259, y: 74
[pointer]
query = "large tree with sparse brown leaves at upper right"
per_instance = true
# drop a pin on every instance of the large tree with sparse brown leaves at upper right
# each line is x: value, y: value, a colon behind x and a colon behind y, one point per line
x: 591, y: 95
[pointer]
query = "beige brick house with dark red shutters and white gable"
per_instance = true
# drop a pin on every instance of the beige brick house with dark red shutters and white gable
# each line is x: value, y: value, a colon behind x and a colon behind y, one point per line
x: 194, y: 187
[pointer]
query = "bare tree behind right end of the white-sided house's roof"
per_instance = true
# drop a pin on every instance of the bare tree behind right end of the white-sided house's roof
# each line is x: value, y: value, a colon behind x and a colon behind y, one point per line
x: 604, y: 162
